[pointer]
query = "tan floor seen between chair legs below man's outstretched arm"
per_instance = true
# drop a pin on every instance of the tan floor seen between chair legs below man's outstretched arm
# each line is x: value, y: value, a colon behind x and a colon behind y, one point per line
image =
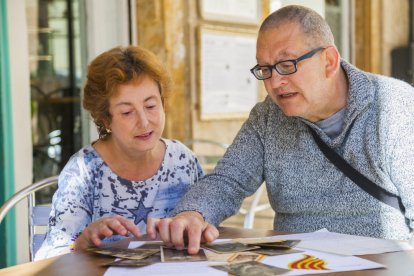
x: 262, y: 220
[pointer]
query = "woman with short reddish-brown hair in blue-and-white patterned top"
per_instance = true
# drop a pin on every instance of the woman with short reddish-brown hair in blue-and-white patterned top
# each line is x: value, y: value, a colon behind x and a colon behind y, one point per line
x: 110, y: 188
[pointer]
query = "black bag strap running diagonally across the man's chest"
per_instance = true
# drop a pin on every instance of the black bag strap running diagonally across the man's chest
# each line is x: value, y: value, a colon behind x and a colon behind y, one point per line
x: 364, y: 183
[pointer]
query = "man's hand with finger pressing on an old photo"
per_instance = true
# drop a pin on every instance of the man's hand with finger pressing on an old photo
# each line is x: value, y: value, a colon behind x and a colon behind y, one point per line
x: 191, y: 225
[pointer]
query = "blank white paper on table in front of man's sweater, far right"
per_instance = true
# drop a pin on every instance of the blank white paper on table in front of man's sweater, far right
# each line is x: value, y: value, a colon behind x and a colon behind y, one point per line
x: 343, y: 244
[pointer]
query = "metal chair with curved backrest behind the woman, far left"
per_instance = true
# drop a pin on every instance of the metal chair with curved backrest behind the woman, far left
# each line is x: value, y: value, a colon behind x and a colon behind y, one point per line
x: 38, y: 214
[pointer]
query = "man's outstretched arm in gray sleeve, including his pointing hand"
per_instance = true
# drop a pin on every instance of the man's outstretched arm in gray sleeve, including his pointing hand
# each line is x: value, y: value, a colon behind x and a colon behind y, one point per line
x: 220, y: 194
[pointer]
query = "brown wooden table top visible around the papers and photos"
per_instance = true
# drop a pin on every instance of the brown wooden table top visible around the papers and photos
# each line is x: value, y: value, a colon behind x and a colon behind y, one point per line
x: 84, y: 263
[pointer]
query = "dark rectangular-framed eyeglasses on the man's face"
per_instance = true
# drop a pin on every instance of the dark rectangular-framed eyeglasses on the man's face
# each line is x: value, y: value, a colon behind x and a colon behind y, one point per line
x: 284, y: 67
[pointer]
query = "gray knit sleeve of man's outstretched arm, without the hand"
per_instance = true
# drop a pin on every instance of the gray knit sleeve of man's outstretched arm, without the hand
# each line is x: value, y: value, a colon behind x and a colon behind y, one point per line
x: 237, y: 175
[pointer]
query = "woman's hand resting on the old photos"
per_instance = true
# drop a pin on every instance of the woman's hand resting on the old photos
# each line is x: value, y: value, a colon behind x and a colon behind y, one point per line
x: 105, y: 227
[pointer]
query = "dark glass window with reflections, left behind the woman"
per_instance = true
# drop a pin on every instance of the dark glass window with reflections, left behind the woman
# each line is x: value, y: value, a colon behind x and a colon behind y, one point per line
x: 55, y: 80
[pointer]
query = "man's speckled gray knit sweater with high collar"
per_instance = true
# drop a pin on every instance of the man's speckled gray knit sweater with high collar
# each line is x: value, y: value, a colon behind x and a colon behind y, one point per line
x: 305, y: 189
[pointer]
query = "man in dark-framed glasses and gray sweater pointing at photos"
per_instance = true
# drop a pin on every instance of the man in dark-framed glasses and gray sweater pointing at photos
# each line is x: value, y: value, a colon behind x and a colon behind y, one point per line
x: 367, y: 119
